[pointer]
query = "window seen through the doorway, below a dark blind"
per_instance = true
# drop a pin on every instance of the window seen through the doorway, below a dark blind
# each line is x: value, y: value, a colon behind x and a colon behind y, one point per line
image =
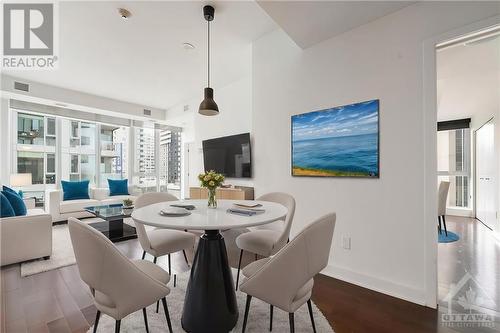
x: 454, y: 165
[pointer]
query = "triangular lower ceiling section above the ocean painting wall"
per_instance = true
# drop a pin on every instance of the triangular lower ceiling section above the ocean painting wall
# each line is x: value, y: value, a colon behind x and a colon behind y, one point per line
x: 311, y: 22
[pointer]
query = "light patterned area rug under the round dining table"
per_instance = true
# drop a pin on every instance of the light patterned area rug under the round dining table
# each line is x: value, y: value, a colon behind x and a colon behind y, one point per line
x: 258, y: 317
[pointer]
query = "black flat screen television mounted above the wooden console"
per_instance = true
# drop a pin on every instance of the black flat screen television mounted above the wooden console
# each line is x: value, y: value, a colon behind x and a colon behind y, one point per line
x: 229, y: 155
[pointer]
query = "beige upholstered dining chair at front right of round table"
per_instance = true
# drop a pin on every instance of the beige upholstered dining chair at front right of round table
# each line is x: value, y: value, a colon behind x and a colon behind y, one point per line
x: 286, y: 279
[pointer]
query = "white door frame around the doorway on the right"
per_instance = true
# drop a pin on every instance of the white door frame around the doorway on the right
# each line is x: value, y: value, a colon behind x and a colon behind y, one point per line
x: 430, y: 151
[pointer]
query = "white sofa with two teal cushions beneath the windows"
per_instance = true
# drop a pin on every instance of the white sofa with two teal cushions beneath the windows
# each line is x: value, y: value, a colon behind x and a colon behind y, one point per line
x: 61, y: 210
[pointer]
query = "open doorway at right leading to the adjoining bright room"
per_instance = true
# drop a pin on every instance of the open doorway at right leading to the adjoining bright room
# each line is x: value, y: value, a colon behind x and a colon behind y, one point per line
x: 468, y: 104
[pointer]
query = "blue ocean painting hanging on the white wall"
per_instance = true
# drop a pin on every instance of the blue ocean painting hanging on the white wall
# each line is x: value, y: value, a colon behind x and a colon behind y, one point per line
x: 337, y: 142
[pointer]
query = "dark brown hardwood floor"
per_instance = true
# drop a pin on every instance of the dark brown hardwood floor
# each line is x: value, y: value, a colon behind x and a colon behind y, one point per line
x: 58, y: 301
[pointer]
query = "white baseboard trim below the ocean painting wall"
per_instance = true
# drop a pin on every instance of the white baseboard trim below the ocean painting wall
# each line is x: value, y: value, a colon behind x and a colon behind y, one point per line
x: 379, y: 285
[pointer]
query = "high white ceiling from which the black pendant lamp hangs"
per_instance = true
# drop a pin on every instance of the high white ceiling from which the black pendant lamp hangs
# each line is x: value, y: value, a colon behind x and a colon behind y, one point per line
x: 142, y: 60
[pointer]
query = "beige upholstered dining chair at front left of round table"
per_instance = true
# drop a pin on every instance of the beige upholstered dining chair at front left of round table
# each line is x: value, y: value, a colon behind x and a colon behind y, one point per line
x: 120, y: 286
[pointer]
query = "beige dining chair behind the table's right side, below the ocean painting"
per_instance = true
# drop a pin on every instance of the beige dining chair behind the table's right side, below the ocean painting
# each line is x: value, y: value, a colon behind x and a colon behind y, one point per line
x: 266, y: 242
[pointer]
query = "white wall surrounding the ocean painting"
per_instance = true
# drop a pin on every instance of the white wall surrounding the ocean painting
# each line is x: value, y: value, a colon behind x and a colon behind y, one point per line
x: 383, y: 59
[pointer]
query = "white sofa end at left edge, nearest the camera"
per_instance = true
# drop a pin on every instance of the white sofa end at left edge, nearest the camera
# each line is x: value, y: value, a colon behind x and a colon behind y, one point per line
x: 25, y: 237
